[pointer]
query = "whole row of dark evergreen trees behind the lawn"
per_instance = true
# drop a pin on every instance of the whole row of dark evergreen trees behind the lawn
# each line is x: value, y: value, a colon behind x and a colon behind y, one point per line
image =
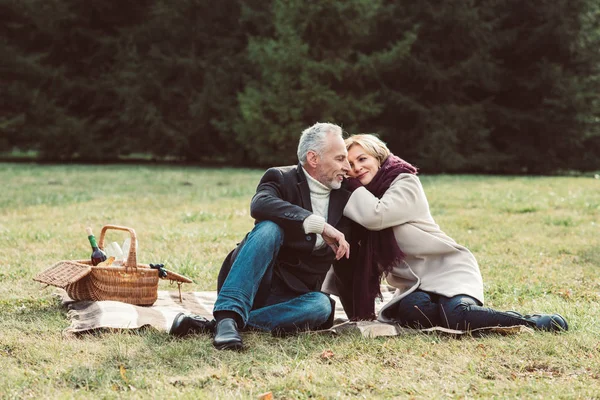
x: 454, y: 85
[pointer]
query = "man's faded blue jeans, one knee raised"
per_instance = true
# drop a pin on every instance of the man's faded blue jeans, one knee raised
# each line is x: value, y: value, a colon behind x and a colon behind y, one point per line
x: 280, y: 311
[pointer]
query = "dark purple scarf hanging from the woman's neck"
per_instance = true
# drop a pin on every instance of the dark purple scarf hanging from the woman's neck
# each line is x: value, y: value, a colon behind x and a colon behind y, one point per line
x: 378, y: 251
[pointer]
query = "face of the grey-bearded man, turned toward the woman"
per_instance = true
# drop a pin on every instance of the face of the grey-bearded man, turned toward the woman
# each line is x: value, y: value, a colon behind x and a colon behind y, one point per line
x: 332, y: 165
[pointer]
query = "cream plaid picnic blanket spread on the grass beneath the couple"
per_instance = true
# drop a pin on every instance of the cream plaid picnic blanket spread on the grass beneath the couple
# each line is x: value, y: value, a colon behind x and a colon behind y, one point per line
x: 89, y: 316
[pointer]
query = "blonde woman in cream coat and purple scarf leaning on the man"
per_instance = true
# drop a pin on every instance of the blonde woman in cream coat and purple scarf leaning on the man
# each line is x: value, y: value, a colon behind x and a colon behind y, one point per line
x: 438, y: 281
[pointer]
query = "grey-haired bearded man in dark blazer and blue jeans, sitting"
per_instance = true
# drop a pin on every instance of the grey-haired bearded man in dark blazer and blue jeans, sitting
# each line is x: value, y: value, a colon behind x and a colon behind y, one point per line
x: 272, y: 280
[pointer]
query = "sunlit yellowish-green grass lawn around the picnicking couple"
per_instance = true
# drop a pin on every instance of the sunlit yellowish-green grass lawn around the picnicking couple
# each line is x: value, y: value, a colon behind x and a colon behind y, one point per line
x: 536, y: 238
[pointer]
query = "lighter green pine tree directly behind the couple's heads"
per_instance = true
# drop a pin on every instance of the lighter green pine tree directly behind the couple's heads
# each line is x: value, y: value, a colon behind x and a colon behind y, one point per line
x: 310, y: 67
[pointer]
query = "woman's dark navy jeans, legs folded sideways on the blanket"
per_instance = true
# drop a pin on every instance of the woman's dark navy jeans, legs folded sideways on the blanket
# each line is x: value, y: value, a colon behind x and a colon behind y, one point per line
x: 421, y: 309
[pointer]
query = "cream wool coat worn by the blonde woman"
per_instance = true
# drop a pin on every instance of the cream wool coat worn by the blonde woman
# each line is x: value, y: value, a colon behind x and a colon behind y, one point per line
x: 434, y: 262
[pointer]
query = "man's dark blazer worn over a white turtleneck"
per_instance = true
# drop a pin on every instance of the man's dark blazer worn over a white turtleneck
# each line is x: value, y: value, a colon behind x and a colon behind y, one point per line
x: 283, y: 196
